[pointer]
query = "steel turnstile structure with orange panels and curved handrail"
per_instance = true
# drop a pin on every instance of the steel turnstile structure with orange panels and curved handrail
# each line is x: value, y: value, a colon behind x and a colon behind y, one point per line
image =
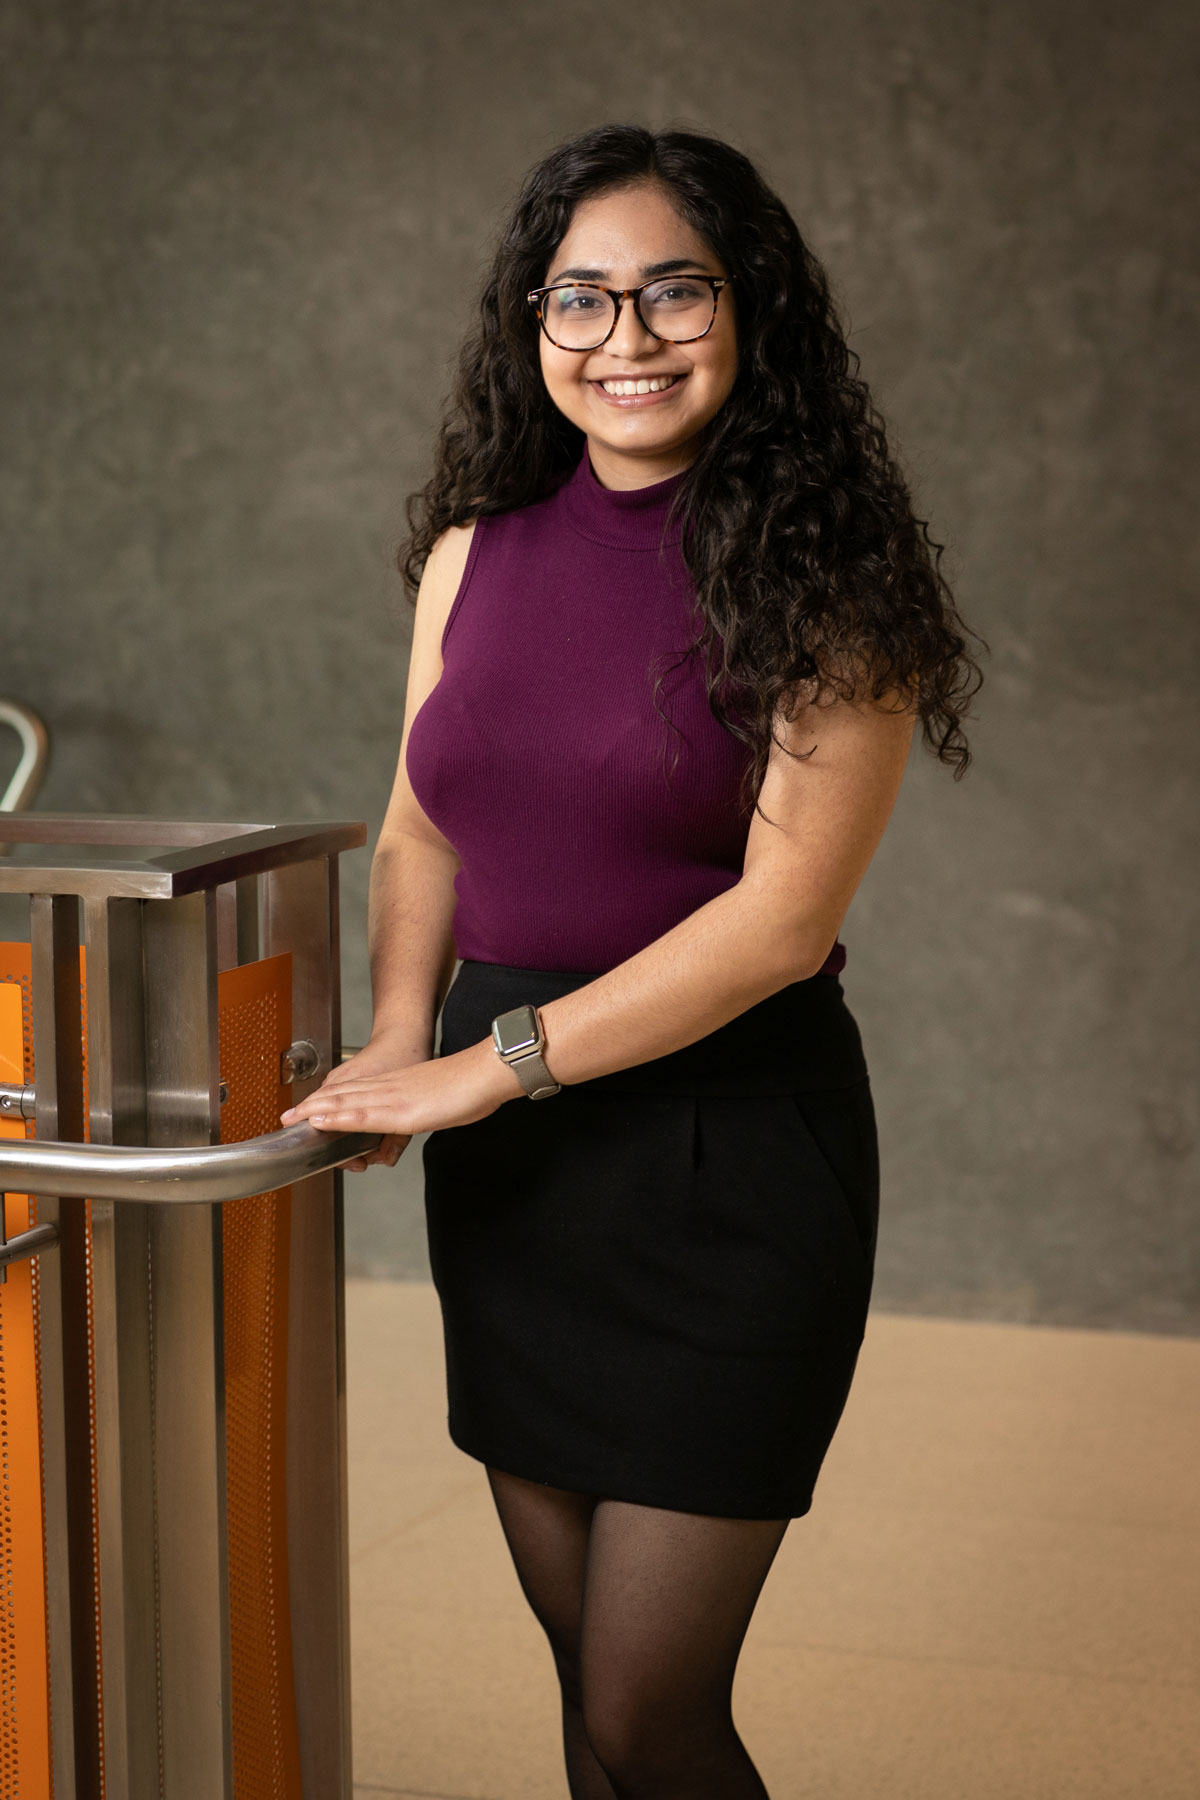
x: 174, y: 1556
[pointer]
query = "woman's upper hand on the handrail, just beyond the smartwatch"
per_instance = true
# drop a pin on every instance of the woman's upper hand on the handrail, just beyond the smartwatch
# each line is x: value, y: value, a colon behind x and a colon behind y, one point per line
x: 420, y: 1097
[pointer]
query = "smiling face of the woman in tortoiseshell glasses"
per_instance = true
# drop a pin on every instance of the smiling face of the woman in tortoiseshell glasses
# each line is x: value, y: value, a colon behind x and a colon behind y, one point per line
x: 622, y: 240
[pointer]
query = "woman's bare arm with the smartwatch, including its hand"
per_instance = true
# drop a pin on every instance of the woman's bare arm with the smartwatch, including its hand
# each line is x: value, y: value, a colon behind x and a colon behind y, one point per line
x: 776, y: 926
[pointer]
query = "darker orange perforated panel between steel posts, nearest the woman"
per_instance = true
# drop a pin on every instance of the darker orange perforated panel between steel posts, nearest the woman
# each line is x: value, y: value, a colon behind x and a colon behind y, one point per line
x: 255, y: 1030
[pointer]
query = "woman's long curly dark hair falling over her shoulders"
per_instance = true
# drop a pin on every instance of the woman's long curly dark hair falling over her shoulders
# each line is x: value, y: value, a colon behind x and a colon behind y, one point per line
x: 814, y: 577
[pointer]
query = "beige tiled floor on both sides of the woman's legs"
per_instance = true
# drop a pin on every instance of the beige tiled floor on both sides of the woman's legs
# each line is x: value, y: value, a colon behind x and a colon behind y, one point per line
x: 996, y: 1596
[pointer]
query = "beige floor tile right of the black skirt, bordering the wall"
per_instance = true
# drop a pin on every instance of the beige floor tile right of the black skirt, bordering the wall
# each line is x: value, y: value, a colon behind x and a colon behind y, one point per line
x: 1023, y: 1421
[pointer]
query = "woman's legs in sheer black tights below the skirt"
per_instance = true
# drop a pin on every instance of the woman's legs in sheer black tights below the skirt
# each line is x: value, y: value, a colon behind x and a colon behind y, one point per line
x: 645, y: 1612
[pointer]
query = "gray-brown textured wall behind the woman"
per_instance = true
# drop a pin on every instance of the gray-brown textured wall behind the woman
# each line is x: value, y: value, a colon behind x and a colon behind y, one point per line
x: 240, y: 244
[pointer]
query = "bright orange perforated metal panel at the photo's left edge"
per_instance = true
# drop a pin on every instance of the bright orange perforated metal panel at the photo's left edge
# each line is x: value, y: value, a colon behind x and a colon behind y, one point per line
x: 24, y: 1673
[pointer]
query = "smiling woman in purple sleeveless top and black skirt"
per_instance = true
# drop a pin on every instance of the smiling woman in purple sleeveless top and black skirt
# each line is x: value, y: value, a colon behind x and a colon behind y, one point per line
x: 674, y: 631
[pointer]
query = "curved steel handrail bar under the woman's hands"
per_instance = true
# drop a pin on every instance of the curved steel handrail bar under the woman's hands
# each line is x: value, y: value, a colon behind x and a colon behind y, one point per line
x: 217, y: 1173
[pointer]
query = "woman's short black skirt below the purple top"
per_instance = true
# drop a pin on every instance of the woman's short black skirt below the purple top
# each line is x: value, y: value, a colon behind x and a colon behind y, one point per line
x: 656, y: 1284
